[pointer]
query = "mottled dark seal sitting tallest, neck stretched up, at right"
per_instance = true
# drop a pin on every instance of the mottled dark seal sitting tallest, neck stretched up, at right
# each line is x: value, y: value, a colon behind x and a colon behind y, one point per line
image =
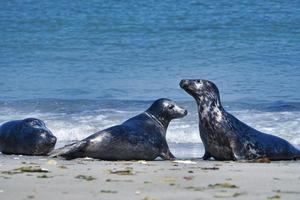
x: 227, y: 138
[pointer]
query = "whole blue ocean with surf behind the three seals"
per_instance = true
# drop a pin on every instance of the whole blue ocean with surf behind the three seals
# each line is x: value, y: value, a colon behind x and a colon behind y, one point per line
x: 82, y: 66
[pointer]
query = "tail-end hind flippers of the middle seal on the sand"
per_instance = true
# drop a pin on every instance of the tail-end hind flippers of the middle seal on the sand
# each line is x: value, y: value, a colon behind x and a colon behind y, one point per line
x: 70, y: 151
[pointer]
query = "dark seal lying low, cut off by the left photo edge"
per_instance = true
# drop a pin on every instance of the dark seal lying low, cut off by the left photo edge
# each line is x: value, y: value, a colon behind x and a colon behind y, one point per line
x: 26, y: 137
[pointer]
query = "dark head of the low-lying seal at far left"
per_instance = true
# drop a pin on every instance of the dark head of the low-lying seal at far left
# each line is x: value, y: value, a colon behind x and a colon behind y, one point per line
x: 41, y: 138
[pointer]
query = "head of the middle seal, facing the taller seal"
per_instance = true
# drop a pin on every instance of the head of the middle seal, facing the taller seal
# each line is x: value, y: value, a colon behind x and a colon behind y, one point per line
x: 166, y: 110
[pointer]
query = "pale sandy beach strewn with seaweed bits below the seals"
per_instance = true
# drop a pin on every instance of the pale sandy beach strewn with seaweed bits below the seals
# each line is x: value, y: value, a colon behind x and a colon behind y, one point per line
x: 23, y: 177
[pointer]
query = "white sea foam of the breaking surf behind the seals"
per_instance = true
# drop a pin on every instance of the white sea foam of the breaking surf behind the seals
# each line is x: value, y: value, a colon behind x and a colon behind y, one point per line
x: 78, y: 126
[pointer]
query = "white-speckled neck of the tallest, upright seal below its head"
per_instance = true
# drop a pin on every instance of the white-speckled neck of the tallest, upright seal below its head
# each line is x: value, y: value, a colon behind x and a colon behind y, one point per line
x: 210, y: 111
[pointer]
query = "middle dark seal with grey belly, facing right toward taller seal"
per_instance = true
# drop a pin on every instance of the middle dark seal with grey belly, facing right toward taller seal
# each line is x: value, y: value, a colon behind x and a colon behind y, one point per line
x: 142, y: 137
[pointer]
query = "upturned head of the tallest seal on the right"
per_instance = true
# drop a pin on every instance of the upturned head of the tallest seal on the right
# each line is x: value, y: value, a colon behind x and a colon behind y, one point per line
x: 205, y: 92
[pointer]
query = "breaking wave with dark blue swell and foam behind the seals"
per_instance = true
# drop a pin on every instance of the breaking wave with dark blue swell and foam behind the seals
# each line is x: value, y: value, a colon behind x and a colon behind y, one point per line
x: 75, y: 121
